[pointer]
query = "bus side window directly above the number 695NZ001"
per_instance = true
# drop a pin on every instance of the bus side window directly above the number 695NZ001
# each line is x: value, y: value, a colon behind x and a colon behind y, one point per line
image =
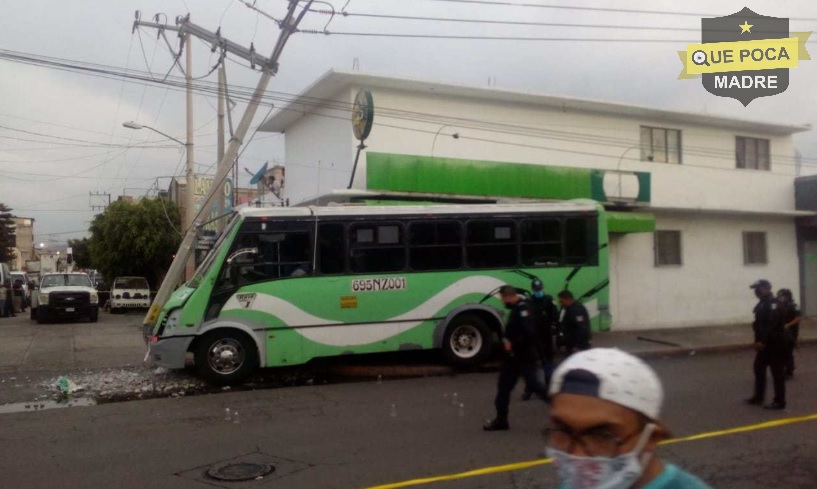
x: 377, y: 248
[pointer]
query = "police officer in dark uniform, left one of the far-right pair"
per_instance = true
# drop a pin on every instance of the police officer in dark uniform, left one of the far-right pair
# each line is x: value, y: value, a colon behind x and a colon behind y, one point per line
x: 770, y: 345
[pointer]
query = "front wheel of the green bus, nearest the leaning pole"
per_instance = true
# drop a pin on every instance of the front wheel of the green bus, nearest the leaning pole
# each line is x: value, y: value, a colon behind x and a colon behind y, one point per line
x: 225, y: 357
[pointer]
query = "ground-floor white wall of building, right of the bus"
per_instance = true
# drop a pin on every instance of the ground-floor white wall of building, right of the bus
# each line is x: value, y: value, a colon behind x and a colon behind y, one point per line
x: 711, y: 286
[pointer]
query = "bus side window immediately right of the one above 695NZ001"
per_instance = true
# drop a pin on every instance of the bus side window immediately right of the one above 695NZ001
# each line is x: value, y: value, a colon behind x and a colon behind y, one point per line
x: 435, y: 245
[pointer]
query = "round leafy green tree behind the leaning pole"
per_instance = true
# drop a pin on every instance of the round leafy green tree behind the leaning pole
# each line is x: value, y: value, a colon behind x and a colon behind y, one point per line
x: 135, y: 239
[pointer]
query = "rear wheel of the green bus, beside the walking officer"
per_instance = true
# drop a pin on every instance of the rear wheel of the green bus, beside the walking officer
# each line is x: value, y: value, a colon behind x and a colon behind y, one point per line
x: 467, y: 340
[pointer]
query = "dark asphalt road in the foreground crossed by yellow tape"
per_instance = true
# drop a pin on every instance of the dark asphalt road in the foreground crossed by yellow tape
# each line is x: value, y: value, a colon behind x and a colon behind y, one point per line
x: 359, y: 435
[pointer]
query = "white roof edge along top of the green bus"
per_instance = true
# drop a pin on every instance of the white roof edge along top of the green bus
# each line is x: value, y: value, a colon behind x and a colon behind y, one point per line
x: 388, y: 210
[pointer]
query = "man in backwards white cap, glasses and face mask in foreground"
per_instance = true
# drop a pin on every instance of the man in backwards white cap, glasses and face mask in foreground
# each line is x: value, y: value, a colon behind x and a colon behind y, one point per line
x: 604, y: 425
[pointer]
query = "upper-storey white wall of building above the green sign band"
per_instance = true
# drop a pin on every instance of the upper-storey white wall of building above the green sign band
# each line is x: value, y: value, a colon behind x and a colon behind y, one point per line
x: 708, y: 178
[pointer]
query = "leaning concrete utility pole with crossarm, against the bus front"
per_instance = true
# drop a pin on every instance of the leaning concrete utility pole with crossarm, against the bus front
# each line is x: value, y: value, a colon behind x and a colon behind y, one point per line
x: 289, y: 26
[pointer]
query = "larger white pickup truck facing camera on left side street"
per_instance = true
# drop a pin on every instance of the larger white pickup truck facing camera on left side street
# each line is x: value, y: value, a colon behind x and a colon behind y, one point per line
x: 64, y: 295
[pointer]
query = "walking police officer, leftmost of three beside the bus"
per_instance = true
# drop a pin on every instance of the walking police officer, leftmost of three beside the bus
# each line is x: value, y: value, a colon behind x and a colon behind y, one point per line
x: 520, y: 356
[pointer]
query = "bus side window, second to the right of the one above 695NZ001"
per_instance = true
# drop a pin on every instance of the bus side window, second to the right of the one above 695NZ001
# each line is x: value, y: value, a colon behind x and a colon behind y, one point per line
x: 491, y: 244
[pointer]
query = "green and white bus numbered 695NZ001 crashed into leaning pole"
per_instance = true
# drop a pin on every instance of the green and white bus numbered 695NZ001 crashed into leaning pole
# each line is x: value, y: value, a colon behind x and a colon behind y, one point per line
x: 283, y: 286
